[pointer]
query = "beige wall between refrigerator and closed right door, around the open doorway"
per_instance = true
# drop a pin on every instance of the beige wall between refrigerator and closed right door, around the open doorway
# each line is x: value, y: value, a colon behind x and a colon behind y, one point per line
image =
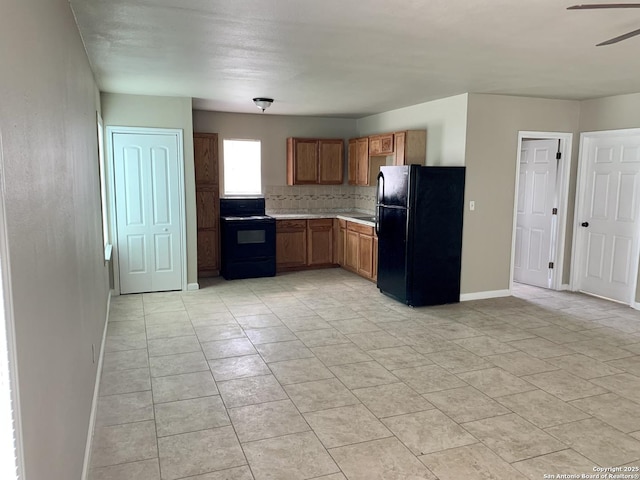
x: 492, y: 139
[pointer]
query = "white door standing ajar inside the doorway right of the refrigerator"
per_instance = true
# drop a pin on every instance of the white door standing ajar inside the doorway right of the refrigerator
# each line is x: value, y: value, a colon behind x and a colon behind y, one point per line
x: 534, y: 220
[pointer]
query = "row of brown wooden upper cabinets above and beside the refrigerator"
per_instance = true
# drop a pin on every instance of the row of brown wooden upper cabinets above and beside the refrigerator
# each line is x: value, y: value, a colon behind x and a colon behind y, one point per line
x: 368, y: 154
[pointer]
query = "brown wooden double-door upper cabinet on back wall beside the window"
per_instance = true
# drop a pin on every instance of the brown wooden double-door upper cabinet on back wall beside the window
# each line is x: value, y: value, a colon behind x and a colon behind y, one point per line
x: 315, y: 161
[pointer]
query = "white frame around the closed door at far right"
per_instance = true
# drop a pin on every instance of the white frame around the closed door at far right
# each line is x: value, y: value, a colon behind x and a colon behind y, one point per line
x: 576, y: 254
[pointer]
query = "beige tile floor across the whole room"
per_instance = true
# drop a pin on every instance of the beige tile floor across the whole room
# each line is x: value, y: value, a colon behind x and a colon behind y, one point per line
x: 316, y: 375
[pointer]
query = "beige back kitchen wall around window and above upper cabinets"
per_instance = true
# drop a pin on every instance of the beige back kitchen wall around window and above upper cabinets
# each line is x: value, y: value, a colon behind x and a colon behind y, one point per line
x: 272, y: 131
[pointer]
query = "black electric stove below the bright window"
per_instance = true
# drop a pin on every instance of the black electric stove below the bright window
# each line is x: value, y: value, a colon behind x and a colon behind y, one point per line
x: 247, y: 238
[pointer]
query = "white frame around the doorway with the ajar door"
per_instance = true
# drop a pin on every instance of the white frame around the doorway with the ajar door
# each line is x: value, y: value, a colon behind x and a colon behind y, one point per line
x: 562, y: 176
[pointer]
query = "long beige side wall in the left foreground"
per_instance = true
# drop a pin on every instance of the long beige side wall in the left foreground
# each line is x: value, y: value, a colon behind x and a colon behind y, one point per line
x: 58, y: 278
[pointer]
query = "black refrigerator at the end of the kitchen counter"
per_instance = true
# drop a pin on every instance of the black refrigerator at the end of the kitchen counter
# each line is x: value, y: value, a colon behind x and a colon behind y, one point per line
x: 419, y: 226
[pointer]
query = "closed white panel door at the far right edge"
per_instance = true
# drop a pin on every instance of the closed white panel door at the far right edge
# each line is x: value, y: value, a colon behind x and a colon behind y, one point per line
x: 608, y: 218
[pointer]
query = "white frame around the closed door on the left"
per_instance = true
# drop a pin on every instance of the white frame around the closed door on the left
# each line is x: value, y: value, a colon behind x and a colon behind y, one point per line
x: 113, y: 224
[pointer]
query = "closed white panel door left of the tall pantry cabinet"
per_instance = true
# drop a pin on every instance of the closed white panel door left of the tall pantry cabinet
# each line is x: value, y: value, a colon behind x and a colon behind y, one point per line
x: 148, y: 220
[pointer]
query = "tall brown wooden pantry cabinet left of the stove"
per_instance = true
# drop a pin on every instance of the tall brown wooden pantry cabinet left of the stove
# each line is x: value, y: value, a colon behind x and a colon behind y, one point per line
x: 205, y: 150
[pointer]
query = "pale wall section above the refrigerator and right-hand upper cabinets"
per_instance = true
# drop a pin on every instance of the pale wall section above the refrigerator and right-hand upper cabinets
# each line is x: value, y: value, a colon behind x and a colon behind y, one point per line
x: 445, y: 121
